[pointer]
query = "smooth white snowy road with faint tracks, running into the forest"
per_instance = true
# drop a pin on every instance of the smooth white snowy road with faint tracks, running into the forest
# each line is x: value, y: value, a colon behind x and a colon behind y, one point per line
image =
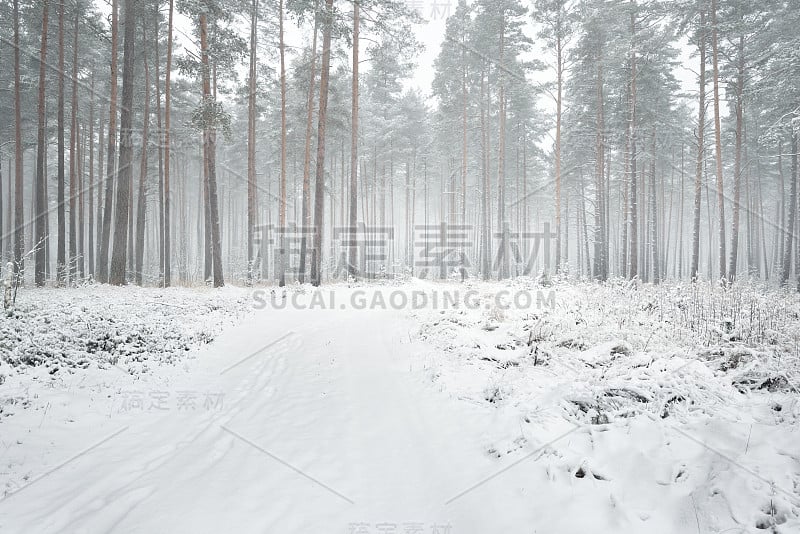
x: 327, y: 427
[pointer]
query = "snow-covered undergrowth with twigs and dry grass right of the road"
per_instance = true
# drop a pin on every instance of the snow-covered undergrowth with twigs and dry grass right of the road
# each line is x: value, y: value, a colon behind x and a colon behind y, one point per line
x: 684, y: 400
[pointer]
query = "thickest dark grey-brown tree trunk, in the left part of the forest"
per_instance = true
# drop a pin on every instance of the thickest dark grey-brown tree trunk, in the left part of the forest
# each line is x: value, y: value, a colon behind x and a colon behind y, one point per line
x: 125, y: 171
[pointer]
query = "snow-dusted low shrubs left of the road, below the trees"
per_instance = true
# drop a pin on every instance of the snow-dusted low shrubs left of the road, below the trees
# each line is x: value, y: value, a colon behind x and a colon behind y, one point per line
x: 56, y: 333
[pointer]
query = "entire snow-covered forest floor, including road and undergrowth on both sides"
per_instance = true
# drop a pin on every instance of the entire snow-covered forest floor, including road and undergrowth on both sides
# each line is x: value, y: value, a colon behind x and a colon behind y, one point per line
x: 607, y: 409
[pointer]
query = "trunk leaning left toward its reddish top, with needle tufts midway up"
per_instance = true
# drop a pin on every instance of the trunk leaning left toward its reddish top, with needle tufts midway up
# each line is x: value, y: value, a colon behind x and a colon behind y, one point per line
x: 210, y: 141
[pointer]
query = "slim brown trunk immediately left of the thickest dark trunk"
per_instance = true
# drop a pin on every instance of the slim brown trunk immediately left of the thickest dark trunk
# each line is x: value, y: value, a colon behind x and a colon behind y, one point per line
x: 111, y: 152
